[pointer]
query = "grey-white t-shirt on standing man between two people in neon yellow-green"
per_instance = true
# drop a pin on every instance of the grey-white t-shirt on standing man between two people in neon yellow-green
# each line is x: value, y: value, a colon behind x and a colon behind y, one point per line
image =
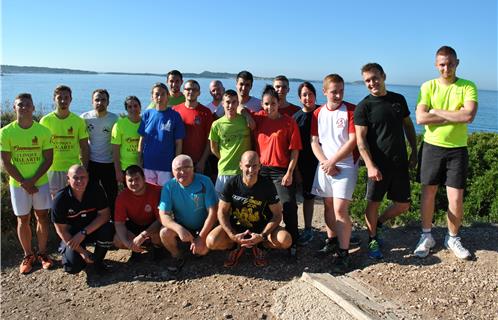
x: 99, y: 131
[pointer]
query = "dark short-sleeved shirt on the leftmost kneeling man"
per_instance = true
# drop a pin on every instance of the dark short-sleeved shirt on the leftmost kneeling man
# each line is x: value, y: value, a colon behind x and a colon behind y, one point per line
x: 66, y: 209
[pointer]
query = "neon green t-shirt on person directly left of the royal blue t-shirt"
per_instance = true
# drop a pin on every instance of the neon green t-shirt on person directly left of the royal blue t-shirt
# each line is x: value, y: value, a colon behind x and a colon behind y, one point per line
x: 125, y: 134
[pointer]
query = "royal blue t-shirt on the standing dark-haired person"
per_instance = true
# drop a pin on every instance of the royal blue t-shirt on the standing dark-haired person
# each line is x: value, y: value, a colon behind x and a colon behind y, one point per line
x: 160, y: 130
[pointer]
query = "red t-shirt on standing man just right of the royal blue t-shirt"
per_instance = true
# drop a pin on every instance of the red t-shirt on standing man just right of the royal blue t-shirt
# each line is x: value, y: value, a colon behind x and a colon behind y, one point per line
x: 197, y: 126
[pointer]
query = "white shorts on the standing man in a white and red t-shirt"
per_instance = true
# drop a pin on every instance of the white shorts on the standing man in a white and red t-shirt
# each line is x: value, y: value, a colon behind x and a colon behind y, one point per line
x: 339, y: 186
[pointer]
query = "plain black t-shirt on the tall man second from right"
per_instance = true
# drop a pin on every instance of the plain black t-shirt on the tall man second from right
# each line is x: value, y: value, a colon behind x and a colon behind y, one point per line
x: 385, y: 136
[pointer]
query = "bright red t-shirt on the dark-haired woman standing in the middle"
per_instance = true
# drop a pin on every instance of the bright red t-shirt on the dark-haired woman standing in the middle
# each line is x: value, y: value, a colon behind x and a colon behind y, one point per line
x: 275, y: 138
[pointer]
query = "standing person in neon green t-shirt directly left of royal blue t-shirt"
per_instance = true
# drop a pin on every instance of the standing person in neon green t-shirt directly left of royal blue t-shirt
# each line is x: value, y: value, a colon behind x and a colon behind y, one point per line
x: 125, y: 138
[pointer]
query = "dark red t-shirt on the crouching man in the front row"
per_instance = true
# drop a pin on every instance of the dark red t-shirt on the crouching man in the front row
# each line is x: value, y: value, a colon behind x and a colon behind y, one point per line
x: 141, y: 210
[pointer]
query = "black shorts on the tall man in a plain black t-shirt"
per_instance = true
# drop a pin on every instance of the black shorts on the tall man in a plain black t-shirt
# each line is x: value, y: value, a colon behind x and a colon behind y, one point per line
x: 395, y: 182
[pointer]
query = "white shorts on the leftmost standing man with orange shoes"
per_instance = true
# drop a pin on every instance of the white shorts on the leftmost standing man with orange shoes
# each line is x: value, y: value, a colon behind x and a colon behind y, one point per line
x: 22, y: 202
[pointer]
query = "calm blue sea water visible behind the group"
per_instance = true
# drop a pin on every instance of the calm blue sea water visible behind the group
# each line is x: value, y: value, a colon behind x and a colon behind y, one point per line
x: 119, y: 86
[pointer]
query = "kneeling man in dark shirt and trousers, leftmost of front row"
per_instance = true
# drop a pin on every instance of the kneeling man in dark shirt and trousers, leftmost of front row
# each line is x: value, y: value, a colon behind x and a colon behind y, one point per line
x: 81, y: 214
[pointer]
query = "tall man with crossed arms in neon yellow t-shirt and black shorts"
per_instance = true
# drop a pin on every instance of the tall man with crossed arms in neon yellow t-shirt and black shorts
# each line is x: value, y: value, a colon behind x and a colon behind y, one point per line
x: 445, y: 106
